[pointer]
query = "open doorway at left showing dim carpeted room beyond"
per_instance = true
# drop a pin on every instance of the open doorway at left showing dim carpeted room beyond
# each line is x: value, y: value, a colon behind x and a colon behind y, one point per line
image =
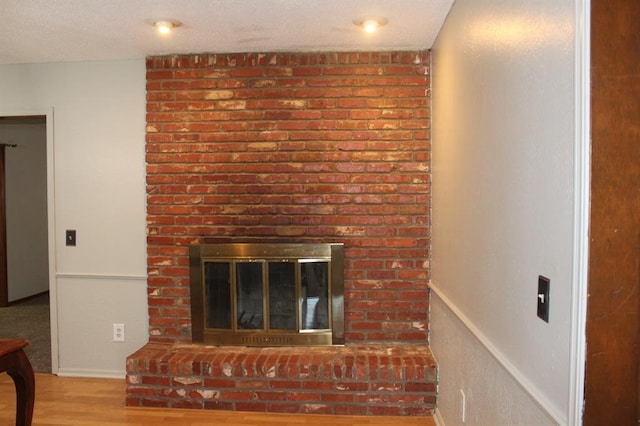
x: 24, y: 228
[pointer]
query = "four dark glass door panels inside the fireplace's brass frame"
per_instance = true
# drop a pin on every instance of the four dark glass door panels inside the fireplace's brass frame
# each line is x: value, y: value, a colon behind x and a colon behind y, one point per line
x: 290, y: 305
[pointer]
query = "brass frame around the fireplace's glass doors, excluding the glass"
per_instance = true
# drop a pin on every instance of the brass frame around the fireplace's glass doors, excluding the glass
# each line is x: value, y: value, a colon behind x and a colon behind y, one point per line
x: 332, y: 253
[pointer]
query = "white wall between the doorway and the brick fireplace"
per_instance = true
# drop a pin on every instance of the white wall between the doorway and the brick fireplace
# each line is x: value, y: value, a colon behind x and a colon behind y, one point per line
x: 99, y: 173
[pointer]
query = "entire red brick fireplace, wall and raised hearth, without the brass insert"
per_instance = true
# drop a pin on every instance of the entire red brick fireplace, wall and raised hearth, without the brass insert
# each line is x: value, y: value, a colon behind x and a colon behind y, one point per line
x: 291, y: 148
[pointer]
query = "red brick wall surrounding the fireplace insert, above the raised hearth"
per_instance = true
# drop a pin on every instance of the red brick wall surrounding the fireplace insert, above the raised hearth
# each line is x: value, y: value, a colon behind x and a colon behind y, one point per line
x: 290, y: 147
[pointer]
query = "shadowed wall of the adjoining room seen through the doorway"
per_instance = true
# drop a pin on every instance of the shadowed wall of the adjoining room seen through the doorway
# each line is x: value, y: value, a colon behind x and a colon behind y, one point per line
x: 26, y: 203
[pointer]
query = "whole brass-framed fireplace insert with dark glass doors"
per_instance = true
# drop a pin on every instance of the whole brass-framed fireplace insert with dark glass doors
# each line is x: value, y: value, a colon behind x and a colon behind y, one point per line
x: 256, y: 294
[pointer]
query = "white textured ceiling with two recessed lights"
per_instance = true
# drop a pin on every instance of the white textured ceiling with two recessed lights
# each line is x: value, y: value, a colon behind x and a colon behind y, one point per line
x: 85, y: 30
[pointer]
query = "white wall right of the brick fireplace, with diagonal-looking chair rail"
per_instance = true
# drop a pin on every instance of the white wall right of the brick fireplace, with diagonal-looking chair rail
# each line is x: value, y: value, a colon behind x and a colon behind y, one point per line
x: 505, y: 203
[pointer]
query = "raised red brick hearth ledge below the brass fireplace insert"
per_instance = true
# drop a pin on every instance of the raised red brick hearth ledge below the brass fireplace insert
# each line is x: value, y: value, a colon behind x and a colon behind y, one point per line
x: 355, y: 380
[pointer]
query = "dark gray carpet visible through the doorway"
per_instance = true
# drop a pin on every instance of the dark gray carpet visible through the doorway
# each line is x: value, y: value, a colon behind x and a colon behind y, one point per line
x: 30, y: 320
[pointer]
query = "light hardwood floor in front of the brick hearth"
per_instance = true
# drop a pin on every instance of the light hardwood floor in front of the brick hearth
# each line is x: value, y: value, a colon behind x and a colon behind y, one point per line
x: 88, y: 402
